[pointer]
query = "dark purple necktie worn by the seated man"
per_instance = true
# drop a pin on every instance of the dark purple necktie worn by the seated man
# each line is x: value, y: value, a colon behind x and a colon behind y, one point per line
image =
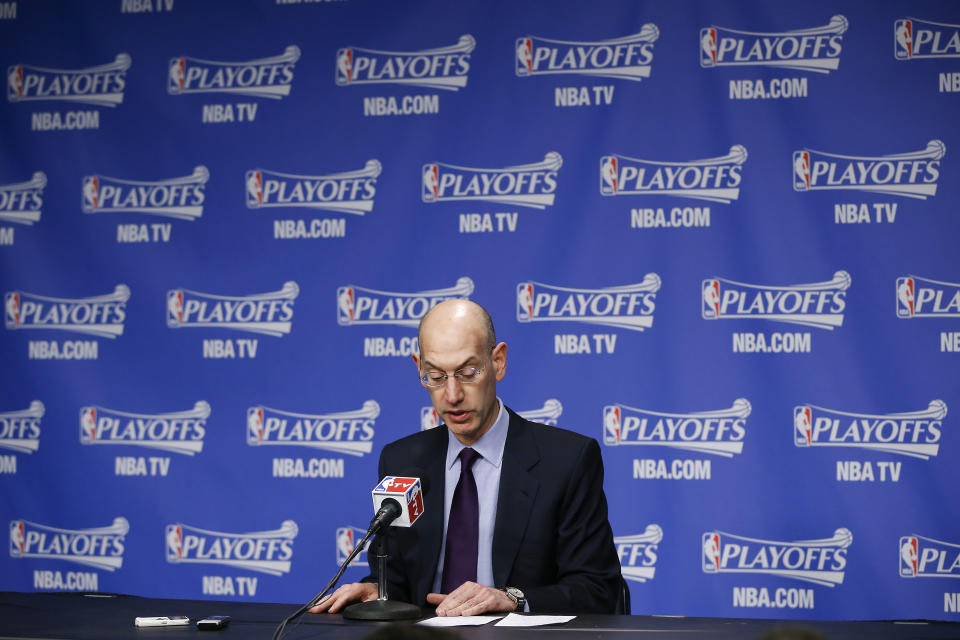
x: 460, y: 558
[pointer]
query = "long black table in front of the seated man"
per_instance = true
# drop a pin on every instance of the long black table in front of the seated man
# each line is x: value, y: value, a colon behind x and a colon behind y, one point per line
x: 56, y: 616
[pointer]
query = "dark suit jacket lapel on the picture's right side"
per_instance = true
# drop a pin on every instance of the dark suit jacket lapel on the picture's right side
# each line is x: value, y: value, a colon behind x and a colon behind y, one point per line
x: 518, y: 490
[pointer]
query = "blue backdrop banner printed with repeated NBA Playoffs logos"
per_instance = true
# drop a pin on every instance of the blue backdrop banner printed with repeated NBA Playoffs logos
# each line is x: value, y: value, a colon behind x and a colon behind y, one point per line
x: 720, y: 237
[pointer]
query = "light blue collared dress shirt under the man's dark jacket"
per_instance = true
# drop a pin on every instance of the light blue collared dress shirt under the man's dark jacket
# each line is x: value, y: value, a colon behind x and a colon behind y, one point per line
x: 486, y: 471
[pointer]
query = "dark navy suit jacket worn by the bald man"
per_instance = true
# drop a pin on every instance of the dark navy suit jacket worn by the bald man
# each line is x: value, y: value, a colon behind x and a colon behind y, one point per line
x: 552, y: 539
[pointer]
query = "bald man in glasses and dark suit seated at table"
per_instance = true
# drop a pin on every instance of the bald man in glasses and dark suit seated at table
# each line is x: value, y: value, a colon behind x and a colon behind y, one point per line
x: 538, y: 538
